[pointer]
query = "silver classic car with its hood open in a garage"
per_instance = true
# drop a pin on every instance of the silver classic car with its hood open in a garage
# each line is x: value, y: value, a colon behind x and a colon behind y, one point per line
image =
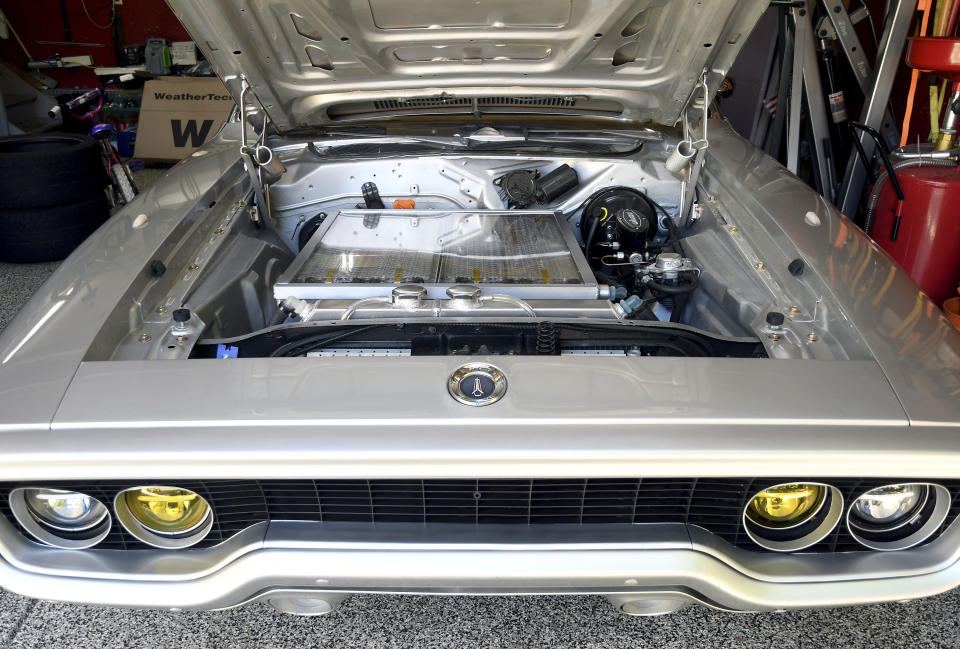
x: 478, y: 297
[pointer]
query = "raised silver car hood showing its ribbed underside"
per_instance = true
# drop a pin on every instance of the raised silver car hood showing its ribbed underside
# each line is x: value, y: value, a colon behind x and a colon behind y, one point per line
x: 317, y: 62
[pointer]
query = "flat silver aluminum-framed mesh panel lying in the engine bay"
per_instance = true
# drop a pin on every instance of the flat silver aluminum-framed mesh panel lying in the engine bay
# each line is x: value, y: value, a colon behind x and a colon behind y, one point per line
x: 357, y: 251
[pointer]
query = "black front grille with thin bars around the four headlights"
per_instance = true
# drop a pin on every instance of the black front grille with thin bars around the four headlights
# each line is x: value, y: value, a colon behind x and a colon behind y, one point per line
x: 714, y: 504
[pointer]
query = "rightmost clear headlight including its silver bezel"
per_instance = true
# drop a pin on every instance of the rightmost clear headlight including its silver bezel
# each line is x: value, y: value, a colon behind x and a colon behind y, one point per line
x: 898, y: 516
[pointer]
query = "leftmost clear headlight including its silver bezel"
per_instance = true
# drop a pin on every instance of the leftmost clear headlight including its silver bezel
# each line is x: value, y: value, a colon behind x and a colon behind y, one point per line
x: 64, y: 519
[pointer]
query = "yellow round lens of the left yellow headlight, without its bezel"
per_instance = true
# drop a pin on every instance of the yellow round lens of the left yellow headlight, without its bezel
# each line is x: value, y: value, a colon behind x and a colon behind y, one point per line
x: 167, y: 511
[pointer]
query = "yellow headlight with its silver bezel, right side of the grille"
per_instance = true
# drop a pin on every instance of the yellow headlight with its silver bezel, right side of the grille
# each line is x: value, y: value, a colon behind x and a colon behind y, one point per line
x: 792, y: 516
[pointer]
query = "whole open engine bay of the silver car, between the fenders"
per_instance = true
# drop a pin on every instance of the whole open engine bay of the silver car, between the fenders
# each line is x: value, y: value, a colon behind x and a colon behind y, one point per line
x: 466, y: 253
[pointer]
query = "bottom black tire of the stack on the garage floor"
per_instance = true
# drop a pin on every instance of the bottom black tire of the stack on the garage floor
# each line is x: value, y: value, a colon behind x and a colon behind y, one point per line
x: 49, y: 233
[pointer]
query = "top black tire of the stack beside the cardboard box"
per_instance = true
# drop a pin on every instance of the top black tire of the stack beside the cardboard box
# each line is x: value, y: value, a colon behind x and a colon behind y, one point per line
x: 49, y: 170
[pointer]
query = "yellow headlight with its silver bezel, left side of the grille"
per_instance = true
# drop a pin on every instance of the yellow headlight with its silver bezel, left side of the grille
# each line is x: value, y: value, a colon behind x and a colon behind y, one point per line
x: 165, y: 517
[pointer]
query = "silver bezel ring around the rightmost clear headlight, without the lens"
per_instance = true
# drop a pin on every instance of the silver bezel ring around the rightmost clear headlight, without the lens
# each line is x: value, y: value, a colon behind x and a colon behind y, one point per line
x: 912, y: 528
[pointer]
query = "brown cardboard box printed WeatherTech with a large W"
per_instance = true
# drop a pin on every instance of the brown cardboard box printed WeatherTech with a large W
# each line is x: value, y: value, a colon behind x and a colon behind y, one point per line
x: 178, y: 115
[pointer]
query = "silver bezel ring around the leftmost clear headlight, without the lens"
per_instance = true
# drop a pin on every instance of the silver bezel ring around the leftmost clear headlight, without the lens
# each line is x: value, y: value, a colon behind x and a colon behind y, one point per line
x: 59, y: 534
